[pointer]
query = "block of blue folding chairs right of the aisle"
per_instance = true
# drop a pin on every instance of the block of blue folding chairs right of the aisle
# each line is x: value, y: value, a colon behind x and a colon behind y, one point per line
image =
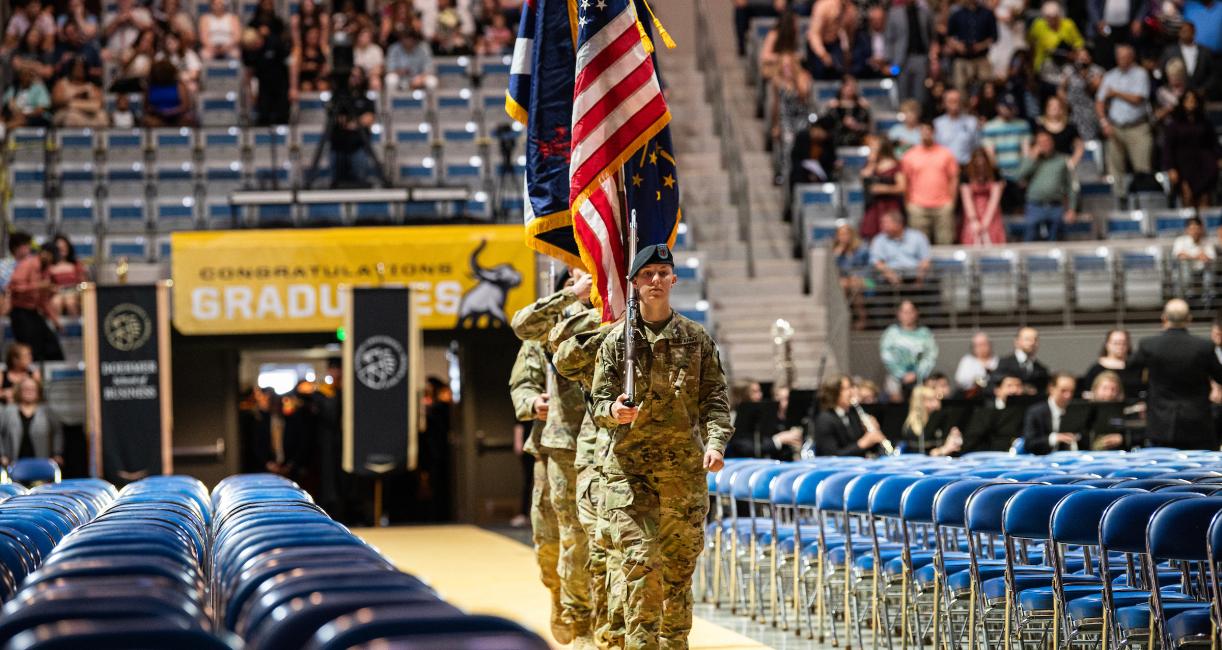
x: 1071, y: 550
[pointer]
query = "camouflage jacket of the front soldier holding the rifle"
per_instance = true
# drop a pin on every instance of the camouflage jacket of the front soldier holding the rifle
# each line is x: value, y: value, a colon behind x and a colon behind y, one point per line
x: 681, y: 390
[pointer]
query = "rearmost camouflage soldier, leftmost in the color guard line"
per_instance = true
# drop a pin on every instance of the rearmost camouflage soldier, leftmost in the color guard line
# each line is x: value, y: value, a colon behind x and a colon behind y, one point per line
x: 530, y: 396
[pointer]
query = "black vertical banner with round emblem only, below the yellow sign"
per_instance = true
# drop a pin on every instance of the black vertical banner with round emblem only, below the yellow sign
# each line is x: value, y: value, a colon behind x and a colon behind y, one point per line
x: 381, y: 361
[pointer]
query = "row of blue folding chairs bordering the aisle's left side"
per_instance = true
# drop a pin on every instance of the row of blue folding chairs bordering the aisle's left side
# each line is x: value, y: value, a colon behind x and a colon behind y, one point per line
x: 288, y: 576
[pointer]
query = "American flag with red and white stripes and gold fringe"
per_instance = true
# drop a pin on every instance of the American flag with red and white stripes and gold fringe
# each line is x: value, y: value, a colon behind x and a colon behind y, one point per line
x: 618, y: 109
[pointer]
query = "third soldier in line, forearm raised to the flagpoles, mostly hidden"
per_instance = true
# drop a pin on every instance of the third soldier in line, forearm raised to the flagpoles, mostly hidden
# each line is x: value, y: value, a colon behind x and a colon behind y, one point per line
x: 559, y: 444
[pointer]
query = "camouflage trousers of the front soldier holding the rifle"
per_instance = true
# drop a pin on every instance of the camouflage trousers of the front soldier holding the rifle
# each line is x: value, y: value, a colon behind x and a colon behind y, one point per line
x: 657, y: 524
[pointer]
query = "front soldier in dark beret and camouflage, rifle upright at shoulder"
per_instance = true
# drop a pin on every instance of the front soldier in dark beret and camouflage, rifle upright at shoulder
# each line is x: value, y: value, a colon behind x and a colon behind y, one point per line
x: 656, y: 495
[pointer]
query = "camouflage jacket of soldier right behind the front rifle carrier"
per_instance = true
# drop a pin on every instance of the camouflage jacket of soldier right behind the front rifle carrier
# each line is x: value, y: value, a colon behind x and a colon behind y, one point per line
x: 575, y: 343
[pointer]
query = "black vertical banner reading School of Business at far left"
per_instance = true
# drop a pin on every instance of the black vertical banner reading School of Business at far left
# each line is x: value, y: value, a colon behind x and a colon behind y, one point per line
x: 128, y: 371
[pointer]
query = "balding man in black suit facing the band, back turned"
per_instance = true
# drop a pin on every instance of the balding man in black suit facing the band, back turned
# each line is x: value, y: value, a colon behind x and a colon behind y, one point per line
x: 1180, y: 368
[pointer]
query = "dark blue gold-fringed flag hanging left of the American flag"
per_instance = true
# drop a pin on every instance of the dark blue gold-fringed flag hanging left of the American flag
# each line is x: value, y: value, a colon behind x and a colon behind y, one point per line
x: 542, y: 82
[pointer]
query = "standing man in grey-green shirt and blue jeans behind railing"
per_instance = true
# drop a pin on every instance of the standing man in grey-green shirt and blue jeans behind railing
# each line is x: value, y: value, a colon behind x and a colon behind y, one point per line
x: 1052, y: 192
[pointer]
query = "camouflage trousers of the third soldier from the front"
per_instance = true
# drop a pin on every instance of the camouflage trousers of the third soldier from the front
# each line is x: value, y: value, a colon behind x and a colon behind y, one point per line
x: 575, y: 577
